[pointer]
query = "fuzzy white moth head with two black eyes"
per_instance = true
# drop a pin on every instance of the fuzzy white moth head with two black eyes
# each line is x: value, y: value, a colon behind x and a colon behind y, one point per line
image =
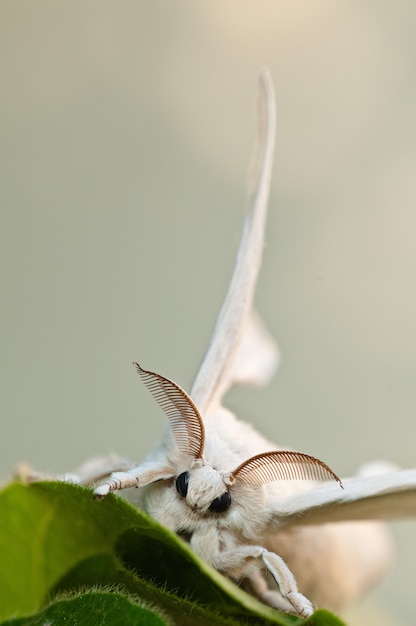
x: 204, y: 489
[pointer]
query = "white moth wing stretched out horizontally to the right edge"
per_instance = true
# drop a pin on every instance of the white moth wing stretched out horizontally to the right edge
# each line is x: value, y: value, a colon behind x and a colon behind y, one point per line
x: 385, y: 496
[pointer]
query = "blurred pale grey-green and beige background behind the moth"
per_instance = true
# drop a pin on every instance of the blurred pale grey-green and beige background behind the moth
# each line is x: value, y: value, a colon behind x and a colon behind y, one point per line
x: 126, y: 130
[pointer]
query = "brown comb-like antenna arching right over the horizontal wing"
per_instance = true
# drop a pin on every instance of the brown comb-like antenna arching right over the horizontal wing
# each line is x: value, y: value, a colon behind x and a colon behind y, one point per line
x: 282, y: 465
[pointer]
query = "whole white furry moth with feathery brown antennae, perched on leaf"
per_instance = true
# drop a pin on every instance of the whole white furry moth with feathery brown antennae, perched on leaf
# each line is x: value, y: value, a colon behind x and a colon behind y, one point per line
x: 245, y: 506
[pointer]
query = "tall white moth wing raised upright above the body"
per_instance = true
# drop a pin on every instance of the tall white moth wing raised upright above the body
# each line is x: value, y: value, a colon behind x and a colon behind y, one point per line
x: 236, y: 327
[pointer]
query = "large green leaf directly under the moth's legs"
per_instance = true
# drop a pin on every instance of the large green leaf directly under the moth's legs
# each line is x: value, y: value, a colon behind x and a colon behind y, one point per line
x: 56, y: 538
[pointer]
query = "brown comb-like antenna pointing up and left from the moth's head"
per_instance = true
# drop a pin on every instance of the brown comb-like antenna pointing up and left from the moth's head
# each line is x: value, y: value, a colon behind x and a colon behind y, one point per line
x: 184, y: 417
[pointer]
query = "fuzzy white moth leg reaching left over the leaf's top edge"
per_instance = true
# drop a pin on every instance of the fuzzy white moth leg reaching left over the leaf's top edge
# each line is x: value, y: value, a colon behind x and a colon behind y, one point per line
x: 135, y: 477
